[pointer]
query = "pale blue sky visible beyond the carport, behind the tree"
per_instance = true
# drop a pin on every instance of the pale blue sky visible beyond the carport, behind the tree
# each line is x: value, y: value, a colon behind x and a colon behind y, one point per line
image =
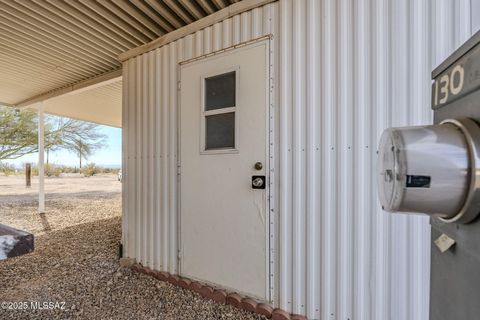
x: 110, y: 156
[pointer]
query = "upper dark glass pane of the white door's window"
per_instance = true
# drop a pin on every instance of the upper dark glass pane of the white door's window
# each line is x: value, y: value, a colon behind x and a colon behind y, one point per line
x: 220, y: 91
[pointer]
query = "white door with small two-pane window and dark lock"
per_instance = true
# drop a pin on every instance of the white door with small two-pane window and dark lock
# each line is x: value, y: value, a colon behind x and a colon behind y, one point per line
x: 223, y: 148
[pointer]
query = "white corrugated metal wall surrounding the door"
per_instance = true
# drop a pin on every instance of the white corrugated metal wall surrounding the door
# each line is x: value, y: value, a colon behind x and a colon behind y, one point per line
x: 343, y: 71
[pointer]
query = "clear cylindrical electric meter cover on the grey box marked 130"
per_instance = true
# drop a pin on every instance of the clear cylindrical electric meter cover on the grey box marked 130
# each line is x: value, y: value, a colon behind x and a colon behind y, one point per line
x: 424, y: 169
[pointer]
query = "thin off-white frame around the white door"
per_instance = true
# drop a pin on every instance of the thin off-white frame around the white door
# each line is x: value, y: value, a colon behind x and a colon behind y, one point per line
x: 270, y: 155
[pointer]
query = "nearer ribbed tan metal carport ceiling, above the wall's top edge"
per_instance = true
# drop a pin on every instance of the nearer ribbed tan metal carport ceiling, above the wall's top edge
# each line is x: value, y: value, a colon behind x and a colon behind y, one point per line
x: 50, y: 44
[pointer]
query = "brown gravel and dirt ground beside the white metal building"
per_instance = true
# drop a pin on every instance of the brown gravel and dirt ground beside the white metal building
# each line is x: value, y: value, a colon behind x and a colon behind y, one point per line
x: 75, y: 262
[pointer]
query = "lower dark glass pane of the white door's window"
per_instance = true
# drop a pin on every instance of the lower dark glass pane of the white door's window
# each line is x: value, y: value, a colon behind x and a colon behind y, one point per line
x: 220, y: 131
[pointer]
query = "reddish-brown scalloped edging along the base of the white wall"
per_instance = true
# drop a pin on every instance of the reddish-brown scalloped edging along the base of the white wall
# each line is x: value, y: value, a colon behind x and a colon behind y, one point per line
x: 220, y: 295
